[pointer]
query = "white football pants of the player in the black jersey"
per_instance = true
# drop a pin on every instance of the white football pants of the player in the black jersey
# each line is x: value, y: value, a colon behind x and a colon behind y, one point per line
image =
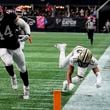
x: 8, y: 56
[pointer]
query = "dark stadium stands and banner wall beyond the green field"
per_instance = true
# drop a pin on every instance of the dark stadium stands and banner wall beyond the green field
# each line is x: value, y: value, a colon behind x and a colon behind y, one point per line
x: 60, y: 15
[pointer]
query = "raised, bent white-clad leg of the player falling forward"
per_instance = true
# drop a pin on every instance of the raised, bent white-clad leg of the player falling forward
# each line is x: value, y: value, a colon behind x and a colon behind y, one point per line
x: 63, y: 60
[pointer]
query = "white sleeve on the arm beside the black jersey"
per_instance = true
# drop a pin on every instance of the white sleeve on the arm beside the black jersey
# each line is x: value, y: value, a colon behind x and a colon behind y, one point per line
x: 20, y: 22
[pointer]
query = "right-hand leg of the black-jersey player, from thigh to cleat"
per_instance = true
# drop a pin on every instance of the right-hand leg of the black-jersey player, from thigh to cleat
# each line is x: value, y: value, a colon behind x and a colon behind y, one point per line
x: 19, y: 58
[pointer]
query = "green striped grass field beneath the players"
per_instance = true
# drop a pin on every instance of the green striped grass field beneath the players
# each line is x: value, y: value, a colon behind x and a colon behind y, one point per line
x: 44, y: 74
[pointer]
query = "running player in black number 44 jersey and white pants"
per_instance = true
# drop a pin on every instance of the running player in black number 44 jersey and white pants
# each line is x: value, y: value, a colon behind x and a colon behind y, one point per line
x: 10, y: 48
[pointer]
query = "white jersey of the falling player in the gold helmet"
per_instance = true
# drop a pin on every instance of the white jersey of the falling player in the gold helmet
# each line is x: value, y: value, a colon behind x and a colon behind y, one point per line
x: 74, y: 58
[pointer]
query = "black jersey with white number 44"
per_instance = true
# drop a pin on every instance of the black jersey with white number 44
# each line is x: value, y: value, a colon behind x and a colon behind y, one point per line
x: 8, y: 37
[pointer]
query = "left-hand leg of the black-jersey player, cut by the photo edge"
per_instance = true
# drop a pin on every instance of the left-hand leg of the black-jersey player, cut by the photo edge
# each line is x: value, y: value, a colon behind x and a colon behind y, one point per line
x: 8, y: 62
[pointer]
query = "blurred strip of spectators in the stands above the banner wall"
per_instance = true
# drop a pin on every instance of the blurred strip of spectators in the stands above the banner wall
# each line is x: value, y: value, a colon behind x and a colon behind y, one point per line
x: 54, y: 11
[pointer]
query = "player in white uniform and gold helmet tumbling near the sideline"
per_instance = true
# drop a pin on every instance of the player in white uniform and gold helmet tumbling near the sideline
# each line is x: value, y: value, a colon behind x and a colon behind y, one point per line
x: 83, y: 58
